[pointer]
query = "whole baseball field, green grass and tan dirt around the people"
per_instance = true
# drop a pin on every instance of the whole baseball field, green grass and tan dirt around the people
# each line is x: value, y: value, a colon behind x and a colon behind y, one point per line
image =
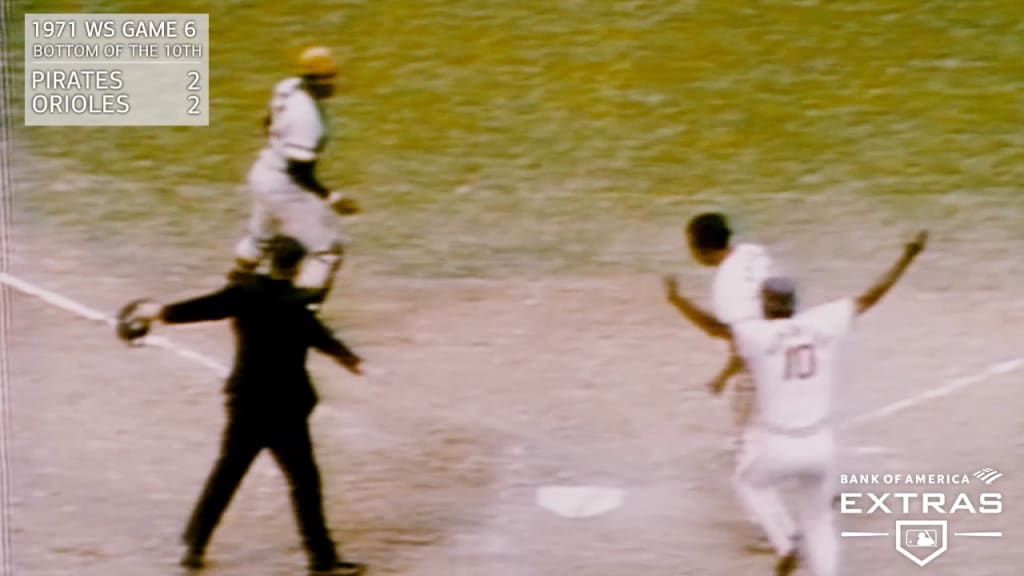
x: 526, y: 170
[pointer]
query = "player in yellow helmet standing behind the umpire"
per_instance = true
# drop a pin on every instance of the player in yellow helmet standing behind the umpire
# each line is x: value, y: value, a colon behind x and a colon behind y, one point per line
x: 287, y: 197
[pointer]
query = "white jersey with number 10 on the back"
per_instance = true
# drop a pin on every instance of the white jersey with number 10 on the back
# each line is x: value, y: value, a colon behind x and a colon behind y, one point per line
x: 794, y: 362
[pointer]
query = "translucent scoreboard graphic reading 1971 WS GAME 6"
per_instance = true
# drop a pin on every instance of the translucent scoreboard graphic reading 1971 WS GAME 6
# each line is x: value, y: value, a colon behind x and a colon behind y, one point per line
x: 117, y: 70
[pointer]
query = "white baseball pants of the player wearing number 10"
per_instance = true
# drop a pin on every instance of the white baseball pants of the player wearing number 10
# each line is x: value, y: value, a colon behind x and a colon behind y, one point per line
x: 769, y: 461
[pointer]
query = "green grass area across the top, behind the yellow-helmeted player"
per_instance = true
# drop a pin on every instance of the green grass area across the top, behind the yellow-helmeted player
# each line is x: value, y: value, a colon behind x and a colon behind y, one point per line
x: 490, y: 138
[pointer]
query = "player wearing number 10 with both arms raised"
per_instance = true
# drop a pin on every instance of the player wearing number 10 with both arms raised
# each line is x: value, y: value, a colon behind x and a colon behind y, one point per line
x: 793, y: 357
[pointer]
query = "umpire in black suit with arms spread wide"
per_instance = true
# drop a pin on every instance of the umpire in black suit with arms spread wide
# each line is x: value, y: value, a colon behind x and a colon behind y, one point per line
x: 270, y: 397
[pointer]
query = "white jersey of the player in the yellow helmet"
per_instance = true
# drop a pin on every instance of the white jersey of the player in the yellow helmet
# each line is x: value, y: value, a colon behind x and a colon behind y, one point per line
x: 298, y: 127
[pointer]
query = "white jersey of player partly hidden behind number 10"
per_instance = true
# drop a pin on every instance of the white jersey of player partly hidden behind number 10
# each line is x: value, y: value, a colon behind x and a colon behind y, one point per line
x: 737, y: 289
